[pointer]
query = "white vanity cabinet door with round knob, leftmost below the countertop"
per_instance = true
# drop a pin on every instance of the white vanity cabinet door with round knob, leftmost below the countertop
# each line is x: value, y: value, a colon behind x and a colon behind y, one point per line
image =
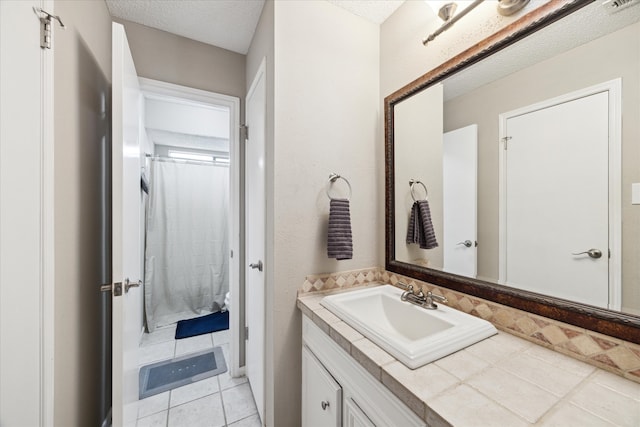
x: 321, y: 394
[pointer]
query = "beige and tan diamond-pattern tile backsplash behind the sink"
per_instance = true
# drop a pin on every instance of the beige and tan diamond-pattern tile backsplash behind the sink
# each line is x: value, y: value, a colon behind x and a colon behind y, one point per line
x: 603, y: 351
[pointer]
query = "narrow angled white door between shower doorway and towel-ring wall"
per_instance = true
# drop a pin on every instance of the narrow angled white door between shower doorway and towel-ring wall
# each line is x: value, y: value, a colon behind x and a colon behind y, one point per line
x: 255, y: 237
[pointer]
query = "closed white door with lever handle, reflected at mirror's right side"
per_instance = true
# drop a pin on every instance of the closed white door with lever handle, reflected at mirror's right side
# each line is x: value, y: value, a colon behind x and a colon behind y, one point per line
x: 556, y: 189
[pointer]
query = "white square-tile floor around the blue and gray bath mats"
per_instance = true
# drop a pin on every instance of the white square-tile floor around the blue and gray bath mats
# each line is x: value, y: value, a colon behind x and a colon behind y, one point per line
x: 218, y: 401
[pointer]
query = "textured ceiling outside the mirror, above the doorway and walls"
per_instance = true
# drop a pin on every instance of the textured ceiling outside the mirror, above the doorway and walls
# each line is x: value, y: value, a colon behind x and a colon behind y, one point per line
x: 228, y: 24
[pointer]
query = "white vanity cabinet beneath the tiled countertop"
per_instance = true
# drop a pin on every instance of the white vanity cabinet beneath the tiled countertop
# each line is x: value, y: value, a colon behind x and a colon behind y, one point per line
x: 330, y: 374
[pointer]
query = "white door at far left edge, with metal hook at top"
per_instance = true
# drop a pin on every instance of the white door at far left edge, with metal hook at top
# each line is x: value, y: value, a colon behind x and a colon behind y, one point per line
x: 26, y: 209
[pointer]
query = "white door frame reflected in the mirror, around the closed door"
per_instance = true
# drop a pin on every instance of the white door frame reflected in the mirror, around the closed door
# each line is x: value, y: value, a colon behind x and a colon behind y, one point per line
x: 614, y: 89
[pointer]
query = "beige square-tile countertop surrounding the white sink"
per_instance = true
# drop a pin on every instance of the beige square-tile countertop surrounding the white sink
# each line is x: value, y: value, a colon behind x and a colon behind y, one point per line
x: 500, y: 381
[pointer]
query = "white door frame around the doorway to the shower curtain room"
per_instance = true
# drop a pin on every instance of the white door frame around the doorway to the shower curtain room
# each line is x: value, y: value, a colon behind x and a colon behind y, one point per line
x: 163, y: 89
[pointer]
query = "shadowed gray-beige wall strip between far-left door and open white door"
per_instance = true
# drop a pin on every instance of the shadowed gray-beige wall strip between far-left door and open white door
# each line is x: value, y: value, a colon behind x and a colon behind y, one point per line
x: 82, y: 81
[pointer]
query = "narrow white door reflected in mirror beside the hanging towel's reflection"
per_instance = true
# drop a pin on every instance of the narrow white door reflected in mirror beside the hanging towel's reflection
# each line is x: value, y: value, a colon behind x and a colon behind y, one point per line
x: 460, y: 200
